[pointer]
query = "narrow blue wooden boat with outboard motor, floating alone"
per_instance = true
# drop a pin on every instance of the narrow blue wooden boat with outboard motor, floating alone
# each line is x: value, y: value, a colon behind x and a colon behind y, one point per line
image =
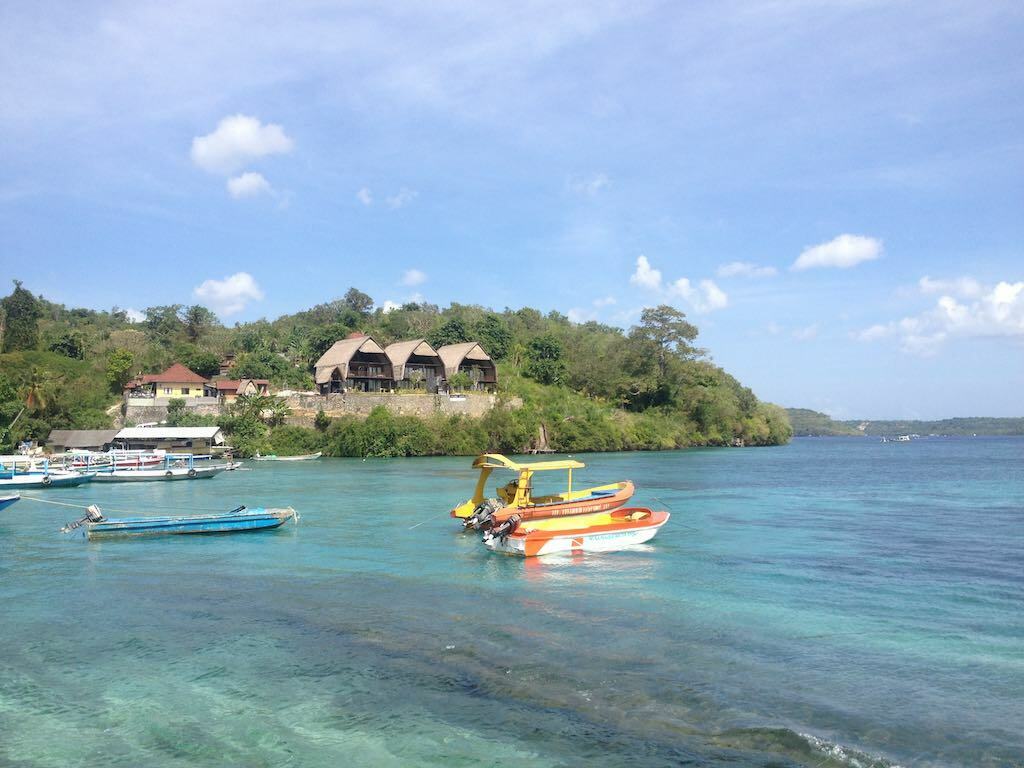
x: 238, y: 521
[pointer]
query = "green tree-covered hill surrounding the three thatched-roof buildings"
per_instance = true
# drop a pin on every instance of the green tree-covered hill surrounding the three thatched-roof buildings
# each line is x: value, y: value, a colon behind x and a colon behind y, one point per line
x: 589, y: 387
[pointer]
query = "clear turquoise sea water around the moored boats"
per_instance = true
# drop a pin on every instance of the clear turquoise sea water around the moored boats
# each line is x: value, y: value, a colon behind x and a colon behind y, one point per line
x: 831, y: 603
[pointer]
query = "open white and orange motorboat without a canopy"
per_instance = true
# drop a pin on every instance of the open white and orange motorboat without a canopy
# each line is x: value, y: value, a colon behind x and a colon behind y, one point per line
x: 603, y: 532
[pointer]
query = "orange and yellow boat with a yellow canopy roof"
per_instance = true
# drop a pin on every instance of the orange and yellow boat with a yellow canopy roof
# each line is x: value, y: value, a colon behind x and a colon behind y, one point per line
x: 518, y: 496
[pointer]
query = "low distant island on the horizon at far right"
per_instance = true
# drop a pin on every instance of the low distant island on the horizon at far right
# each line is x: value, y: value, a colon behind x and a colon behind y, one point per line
x: 807, y: 423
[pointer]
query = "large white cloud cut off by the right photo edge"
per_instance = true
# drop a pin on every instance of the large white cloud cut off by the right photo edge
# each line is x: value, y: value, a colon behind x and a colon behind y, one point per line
x: 997, y: 312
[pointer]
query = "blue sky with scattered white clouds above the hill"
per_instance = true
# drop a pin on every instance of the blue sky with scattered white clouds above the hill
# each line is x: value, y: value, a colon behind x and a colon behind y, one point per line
x: 833, y: 192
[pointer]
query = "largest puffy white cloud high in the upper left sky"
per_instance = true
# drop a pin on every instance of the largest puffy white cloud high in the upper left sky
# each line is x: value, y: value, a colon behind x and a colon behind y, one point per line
x: 237, y: 141
